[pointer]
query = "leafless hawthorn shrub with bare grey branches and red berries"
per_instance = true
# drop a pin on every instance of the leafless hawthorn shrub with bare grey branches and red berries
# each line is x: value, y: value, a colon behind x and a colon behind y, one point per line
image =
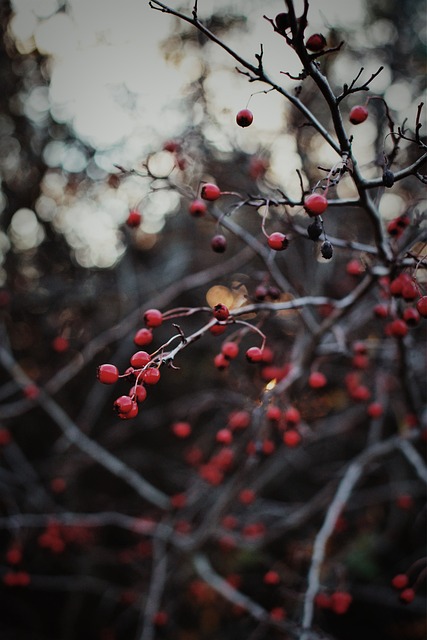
x: 241, y: 454
